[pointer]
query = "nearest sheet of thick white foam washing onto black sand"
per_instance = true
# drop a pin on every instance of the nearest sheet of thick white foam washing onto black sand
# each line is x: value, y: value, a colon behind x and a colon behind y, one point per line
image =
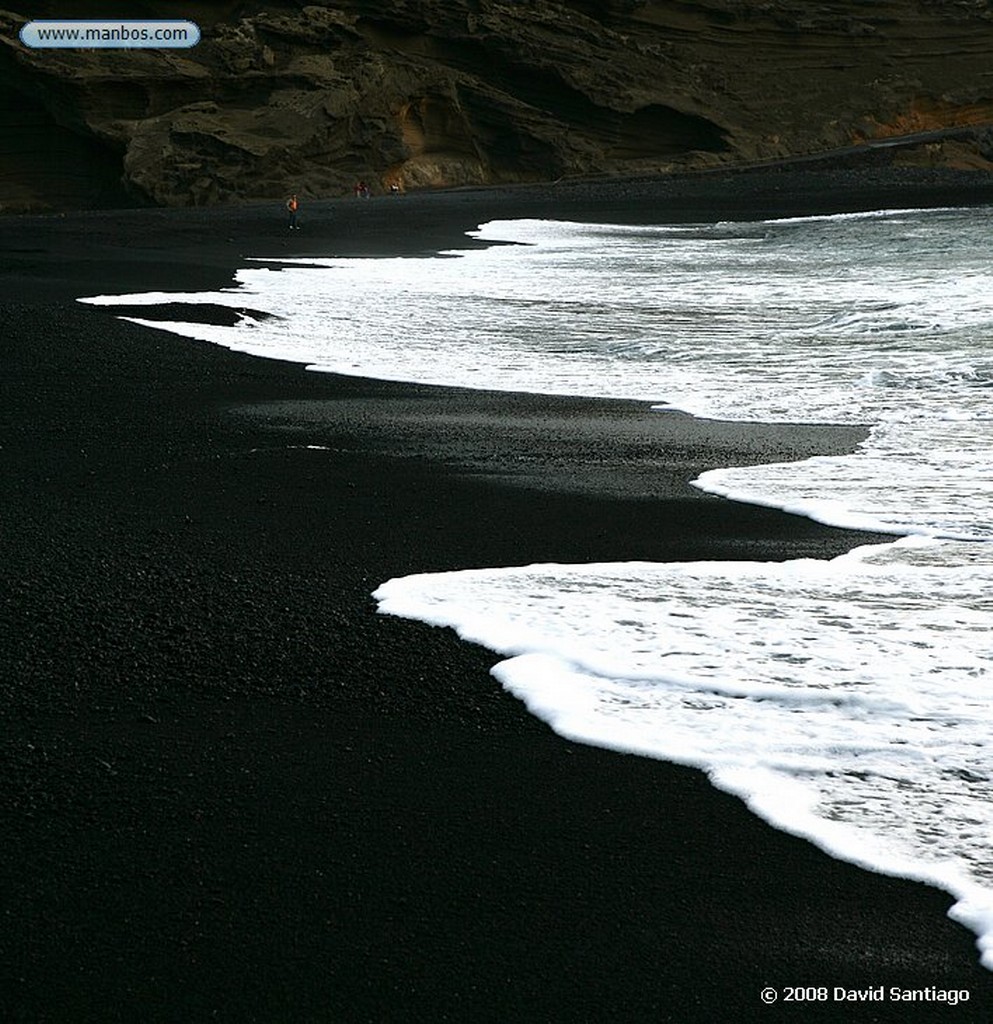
x: 846, y: 701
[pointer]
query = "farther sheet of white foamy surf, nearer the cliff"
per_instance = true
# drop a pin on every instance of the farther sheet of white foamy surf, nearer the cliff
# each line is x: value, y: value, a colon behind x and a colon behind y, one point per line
x: 884, y: 319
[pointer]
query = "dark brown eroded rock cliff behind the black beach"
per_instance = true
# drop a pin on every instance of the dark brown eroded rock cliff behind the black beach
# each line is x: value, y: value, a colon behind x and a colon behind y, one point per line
x: 286, y: 97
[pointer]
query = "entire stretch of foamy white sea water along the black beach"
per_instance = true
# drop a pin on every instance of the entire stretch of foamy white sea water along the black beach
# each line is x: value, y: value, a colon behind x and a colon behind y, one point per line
x: 845, y: 701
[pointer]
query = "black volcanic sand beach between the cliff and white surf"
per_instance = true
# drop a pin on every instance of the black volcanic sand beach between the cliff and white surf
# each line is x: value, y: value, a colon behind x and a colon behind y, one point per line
x: 231, y: 791
